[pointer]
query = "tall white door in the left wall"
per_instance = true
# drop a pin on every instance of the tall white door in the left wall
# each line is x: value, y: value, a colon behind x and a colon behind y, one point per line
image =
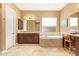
x: 10, y: 28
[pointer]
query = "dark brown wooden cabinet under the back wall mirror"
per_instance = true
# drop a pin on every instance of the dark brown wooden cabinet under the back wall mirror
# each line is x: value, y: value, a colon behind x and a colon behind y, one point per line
x: 28, y: 38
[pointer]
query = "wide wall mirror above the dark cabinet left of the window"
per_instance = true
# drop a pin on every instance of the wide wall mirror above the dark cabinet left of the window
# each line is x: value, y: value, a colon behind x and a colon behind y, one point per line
x: 31, y: 26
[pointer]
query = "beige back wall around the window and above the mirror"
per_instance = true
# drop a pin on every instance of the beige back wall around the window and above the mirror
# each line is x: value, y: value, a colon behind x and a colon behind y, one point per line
x: 40, y: 14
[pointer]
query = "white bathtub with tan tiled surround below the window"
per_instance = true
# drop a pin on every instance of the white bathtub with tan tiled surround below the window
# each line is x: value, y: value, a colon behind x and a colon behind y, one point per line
x: 54, y: 41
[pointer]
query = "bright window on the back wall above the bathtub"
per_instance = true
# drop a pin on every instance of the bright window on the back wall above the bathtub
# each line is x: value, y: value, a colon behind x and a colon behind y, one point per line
x: 49, y: 24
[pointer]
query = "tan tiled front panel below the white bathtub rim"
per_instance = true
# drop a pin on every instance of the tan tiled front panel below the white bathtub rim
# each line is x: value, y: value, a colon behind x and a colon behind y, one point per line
x: 52, y: 43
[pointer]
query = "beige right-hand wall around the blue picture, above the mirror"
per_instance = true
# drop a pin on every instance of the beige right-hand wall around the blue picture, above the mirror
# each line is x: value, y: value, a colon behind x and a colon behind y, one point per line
x: 66, y: 12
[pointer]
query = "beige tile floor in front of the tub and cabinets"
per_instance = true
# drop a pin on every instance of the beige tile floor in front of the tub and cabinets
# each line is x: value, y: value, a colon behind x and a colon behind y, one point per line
x: 35, y: 50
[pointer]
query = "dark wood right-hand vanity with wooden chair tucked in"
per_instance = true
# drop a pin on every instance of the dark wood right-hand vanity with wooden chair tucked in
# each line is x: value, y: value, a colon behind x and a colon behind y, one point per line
x: 71, y: 42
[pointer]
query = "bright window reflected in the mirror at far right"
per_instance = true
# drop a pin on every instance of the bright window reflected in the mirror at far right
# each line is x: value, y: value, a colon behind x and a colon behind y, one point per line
x: 73, y: 24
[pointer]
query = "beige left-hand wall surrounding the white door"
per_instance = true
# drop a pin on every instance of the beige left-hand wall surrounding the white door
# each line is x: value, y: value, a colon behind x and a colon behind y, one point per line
x: 13, y: 6
